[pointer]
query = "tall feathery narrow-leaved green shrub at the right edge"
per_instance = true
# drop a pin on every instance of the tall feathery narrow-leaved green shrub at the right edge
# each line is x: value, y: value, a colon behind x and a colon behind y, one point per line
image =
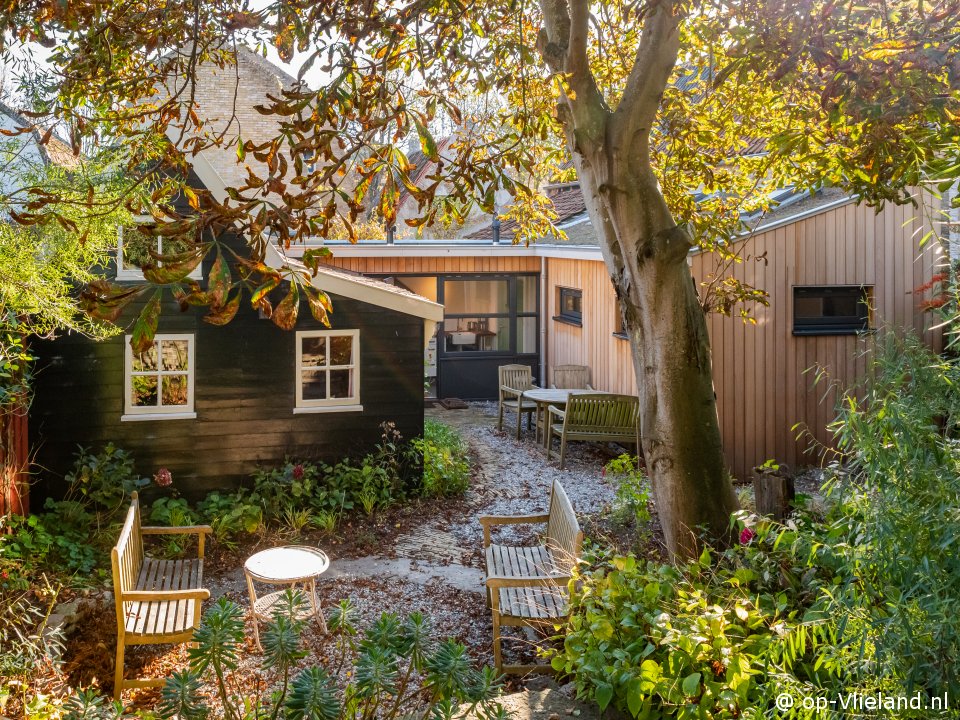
x: 899, y: 486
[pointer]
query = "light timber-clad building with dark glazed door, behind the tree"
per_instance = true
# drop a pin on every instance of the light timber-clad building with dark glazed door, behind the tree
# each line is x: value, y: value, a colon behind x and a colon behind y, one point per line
x: 835, y: 270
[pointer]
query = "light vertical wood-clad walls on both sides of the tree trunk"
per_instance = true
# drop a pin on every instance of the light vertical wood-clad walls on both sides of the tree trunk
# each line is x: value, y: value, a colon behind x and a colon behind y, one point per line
x: 763, y: 374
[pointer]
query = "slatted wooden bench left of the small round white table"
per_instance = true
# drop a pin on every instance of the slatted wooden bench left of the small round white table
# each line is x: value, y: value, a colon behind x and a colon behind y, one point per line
x: 157, y: 601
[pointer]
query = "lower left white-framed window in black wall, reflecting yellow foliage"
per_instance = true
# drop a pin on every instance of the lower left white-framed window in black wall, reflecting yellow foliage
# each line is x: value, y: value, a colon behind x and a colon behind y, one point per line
x: 158, y: 383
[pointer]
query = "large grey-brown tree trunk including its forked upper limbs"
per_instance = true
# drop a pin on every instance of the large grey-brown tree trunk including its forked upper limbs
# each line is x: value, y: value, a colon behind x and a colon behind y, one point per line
x: 646, y: 255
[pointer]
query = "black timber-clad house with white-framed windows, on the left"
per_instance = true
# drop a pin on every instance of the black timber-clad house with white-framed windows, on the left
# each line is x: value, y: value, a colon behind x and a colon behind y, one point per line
x: 212, y: 403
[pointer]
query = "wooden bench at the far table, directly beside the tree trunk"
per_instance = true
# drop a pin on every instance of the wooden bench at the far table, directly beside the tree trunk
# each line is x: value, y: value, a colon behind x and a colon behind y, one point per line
x: 595, y: 418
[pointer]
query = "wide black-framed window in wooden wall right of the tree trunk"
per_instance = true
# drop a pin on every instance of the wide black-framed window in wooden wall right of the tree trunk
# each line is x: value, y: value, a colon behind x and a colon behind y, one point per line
x: 831, y: 310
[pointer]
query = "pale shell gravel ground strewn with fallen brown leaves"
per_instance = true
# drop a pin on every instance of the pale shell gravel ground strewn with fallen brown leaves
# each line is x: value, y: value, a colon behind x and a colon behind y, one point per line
x: 510, y: 477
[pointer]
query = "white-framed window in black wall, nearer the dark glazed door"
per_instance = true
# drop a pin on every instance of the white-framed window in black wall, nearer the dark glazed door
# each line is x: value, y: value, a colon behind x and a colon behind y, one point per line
x: 328, y: 370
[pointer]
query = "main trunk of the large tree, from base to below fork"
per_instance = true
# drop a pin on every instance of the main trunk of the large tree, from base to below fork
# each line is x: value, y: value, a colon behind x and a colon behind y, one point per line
x: 646, y: 254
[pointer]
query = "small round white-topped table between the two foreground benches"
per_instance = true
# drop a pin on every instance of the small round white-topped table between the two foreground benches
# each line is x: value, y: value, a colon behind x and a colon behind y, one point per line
x: 291, y: 565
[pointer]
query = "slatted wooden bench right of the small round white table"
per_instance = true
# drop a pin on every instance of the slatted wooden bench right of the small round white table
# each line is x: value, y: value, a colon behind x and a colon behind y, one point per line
x: 527, y: 586
